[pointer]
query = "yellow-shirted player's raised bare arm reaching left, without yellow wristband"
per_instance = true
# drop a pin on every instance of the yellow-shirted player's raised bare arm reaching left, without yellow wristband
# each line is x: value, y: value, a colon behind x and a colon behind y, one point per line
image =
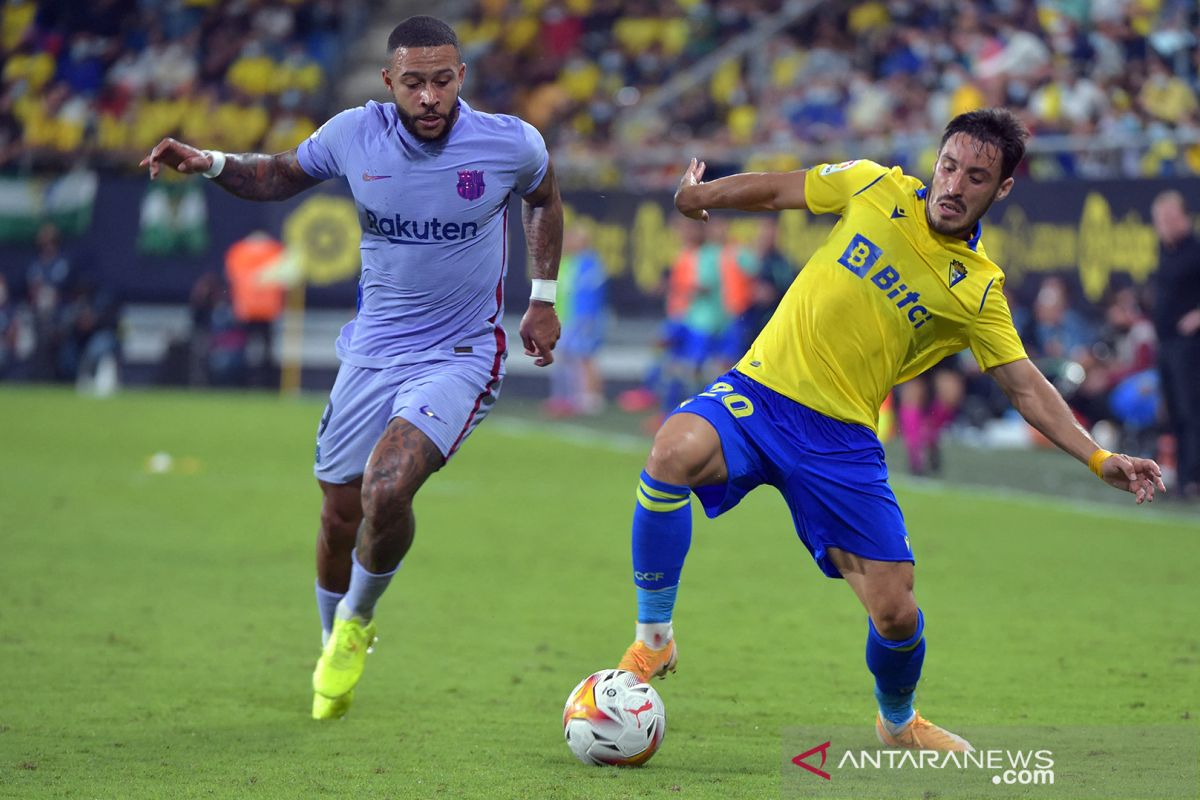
x: 745, y: 193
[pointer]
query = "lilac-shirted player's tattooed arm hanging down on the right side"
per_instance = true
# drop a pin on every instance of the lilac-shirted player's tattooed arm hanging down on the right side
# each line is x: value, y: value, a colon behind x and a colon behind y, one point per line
x: 543, y: 216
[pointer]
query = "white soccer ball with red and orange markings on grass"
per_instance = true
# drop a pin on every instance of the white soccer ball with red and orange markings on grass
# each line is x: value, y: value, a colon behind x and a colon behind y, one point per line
x: 613, y: 718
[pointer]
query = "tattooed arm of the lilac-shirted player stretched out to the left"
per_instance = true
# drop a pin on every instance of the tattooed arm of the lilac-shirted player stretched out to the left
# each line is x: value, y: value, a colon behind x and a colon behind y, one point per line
x: 249, y: 176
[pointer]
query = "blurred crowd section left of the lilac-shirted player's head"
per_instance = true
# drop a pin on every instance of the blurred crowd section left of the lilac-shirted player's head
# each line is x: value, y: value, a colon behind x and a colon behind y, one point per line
x: 101, y: 82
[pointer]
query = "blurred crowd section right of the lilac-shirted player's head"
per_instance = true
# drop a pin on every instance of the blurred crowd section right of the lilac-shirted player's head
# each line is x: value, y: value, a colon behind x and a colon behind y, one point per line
x: 877, y: 79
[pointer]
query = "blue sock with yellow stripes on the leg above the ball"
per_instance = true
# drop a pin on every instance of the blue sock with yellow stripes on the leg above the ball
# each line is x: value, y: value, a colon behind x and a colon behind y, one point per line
x: 662, y: 538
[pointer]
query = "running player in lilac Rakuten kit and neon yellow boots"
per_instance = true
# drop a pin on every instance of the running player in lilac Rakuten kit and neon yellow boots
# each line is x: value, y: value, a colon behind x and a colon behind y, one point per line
x: 424, y: 359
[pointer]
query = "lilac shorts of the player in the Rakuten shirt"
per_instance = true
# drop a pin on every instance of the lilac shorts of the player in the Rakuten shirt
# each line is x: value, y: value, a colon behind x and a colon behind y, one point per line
x: 446, y: 400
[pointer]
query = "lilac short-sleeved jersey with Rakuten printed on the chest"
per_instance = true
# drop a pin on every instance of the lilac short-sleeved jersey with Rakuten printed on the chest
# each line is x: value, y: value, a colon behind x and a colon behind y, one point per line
x: 435, y: 226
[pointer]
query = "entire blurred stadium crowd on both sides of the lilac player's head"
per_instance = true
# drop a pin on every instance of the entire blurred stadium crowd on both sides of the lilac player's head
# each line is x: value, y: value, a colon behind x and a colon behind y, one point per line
x: 1118, y: 79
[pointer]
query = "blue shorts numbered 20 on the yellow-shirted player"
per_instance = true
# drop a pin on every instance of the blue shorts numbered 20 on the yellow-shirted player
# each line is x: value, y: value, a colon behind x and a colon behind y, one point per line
x: 832, y: 474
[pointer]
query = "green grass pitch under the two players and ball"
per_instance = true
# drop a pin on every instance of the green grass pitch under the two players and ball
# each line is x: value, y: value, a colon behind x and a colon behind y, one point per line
x: 159, y: 630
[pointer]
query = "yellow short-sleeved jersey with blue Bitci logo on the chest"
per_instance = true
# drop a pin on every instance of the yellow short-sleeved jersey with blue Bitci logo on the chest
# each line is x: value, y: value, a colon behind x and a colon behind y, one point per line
x: 883, y: 300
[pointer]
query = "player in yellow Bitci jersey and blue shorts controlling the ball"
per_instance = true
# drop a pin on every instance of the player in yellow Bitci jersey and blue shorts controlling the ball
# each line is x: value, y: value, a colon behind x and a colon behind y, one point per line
x: 901, y: 284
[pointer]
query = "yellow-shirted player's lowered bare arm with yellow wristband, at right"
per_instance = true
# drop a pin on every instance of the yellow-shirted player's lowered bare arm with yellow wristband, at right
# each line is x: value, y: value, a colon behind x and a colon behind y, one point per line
x: 1045, y: 408
